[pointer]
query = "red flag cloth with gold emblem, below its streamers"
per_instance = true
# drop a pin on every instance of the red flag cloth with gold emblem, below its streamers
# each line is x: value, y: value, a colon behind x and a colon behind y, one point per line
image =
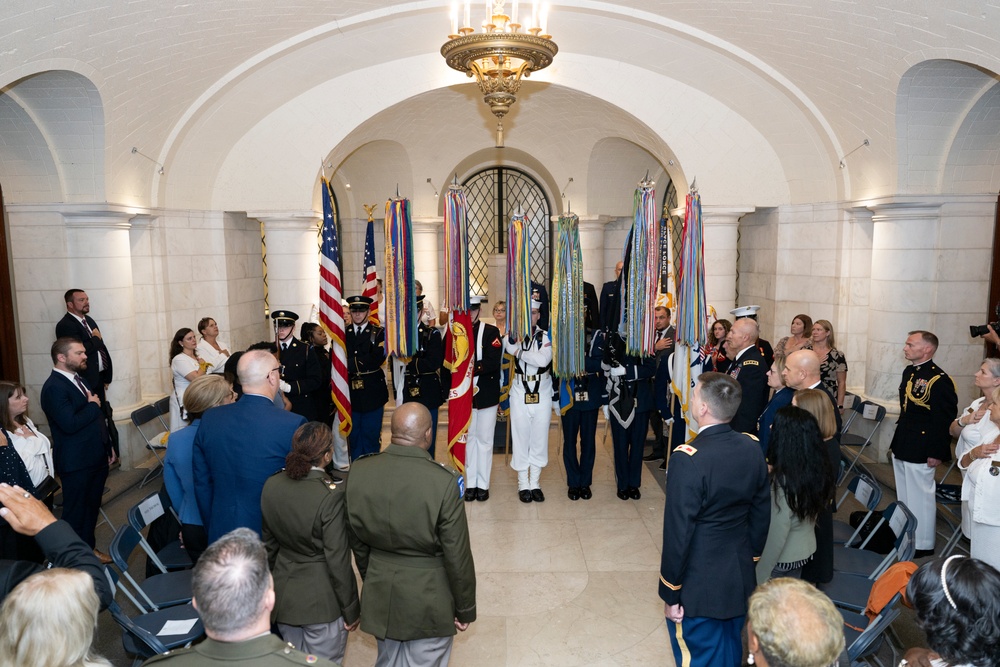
x: 458, y: 359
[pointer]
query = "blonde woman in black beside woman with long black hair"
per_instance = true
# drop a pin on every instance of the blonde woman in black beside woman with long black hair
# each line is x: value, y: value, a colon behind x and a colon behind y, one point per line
x: 817, y: 403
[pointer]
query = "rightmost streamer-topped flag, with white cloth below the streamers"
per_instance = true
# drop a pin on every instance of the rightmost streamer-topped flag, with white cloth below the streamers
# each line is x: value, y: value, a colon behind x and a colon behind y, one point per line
x: 691, y: 336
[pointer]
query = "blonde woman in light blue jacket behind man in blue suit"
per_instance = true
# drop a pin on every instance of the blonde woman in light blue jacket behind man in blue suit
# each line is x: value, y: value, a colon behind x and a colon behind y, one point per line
x: 204, y: 393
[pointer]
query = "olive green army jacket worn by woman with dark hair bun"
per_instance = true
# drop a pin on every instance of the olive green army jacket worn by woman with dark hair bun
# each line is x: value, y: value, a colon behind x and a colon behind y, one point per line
x: 305, y: 532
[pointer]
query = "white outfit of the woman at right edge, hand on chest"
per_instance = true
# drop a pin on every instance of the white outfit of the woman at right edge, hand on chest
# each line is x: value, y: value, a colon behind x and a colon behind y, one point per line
x: 981, y: 487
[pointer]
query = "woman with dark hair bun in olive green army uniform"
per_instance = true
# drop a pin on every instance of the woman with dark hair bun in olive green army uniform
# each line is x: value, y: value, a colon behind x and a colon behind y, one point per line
x: 305, y: 532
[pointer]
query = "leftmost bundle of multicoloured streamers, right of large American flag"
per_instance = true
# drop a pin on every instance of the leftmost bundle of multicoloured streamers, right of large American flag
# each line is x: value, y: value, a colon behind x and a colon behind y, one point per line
x: 401, y: 313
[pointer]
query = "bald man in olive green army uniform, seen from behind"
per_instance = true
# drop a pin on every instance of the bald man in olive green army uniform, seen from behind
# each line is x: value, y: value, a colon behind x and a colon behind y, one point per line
x: 412, y: 546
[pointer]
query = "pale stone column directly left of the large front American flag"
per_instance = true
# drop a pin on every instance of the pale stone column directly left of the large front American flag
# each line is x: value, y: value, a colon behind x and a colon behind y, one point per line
x: 292, y: 261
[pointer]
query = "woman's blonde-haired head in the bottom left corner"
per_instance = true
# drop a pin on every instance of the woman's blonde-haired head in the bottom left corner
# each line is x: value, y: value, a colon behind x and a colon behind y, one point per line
x: 50, y: 619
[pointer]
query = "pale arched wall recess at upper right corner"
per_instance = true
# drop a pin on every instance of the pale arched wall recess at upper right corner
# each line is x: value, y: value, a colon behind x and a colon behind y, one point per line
x: 947, y: 128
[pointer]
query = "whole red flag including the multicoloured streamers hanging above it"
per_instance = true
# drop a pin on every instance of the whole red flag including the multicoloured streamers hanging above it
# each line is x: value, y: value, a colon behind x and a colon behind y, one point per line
x: 458, y: 342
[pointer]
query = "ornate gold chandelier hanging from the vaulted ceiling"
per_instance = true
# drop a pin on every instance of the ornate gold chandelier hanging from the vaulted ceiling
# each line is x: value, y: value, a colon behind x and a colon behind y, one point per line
x: 501, y: 53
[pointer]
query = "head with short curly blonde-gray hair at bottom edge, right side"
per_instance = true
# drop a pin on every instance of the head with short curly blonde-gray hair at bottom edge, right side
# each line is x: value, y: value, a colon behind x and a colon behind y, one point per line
x: 791, y: 623
